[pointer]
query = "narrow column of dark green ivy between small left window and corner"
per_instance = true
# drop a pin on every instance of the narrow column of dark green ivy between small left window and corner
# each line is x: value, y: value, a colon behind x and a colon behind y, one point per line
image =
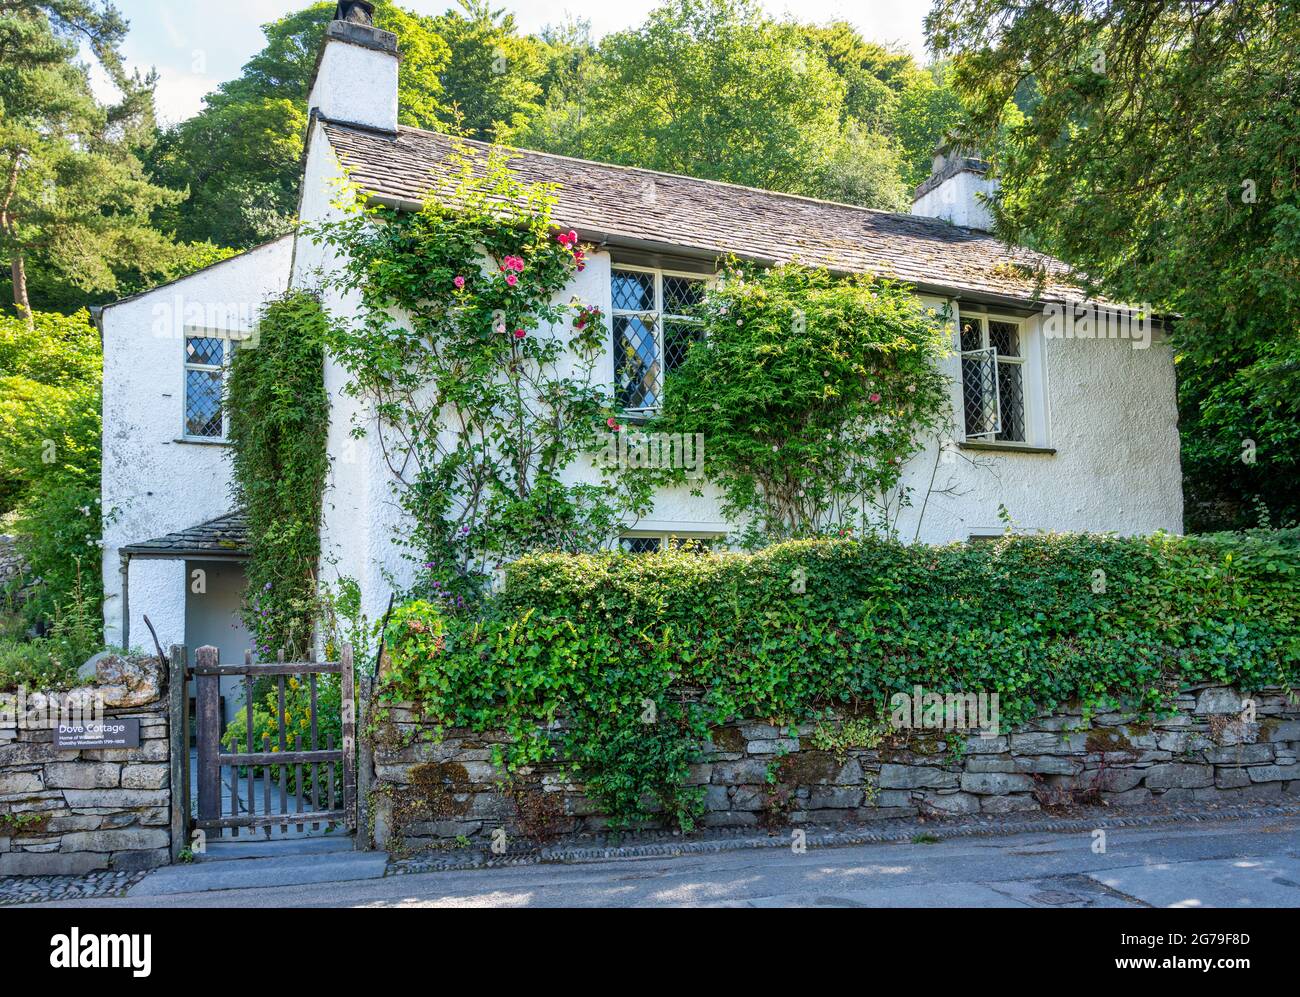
x: 279, y: 424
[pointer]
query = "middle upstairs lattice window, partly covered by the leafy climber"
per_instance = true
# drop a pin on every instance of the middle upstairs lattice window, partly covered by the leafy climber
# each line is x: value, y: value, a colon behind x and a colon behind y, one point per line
x: 655, y: 327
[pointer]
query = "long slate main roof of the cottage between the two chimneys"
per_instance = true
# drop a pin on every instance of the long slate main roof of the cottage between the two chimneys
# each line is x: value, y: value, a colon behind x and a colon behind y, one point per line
x: 636, y: 207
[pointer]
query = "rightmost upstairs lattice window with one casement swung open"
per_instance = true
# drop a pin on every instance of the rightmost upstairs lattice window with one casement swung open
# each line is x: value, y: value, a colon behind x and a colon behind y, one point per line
x: 994, y: 375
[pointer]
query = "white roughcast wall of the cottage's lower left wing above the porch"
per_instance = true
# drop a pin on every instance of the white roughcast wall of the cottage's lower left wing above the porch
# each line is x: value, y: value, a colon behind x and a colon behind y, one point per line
x: 154, y: 483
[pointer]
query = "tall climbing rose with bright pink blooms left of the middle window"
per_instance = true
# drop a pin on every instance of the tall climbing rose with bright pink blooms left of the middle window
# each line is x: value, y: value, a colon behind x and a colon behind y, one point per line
x: 483, y: 395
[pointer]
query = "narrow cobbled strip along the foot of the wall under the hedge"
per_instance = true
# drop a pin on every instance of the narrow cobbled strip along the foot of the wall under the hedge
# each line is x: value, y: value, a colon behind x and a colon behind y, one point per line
x: 668, y: 846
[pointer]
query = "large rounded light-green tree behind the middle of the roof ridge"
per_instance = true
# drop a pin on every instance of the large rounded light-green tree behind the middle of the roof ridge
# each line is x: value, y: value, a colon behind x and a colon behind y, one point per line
x: 713, y: 89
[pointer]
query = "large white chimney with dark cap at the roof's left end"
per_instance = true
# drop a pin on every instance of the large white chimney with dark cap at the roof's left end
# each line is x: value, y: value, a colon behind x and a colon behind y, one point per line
x: 357, y: 73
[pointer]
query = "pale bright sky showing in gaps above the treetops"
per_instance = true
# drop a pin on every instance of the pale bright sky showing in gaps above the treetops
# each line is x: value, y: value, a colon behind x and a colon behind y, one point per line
x: 197, y: 45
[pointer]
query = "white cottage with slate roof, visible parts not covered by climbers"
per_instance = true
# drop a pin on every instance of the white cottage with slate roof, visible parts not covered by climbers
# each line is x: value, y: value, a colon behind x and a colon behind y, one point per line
x: 1071, y: 427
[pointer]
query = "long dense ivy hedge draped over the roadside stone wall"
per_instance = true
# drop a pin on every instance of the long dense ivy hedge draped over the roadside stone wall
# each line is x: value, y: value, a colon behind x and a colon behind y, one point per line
x: 639, y: 656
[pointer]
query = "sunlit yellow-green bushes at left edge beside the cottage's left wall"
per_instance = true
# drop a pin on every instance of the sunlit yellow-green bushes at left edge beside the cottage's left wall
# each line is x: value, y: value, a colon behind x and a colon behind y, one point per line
x: 50, y: 456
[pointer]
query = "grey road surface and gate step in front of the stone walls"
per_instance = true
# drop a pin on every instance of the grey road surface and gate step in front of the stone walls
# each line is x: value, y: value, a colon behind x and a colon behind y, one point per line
x: 1233, y: 864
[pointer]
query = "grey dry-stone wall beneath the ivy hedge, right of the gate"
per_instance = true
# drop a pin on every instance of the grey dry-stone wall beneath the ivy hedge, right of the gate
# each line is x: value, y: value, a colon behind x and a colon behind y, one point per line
x: 431, y: 788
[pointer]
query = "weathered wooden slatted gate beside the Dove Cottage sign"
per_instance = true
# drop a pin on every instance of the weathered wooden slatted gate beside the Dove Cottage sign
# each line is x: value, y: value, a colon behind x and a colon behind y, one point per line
x: 280, y: 769
